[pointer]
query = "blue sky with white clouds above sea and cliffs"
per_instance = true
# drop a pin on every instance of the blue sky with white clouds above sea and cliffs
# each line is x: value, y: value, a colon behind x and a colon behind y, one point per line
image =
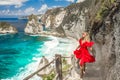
x: 26, y: 7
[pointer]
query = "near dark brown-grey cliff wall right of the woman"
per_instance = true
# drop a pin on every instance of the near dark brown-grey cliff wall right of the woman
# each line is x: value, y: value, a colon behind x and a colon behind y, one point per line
x: 105, y: 31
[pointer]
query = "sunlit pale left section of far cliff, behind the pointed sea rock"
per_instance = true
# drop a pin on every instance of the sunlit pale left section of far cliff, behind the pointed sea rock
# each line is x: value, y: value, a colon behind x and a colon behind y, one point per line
x: 53, y: 18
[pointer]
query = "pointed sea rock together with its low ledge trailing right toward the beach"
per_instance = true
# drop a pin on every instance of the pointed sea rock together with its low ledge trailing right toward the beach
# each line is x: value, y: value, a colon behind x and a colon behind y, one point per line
x: 35, y: 26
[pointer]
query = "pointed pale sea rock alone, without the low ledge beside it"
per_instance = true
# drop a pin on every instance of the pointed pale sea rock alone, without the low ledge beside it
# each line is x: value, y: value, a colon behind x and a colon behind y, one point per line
x: 33, y: 26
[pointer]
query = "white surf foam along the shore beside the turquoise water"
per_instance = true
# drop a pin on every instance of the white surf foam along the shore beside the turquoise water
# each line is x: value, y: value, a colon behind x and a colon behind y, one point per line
x: 56, y: 45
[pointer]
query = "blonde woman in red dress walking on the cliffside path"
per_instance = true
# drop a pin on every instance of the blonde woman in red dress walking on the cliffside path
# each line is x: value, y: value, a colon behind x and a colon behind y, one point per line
x: 82, y: 52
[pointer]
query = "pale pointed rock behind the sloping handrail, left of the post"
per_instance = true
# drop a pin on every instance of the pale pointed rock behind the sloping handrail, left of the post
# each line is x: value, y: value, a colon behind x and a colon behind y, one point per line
x: 47, y: 70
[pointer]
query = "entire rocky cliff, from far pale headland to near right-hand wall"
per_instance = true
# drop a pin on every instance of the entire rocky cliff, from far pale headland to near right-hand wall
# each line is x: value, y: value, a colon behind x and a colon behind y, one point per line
x: 101, y: 18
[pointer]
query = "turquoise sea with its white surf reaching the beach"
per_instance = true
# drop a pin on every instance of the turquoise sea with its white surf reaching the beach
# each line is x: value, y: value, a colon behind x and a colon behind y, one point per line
x: 20, y: 53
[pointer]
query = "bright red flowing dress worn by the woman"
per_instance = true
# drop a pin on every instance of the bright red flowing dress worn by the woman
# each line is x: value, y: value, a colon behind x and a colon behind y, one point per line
x: 83, y: 53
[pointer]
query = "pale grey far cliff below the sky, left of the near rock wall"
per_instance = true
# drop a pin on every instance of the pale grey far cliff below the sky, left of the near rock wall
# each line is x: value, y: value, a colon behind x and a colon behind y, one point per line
x: 69, y: 20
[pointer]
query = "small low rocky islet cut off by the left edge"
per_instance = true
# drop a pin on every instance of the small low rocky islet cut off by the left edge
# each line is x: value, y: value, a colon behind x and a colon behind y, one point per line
x: 7, y: 28
